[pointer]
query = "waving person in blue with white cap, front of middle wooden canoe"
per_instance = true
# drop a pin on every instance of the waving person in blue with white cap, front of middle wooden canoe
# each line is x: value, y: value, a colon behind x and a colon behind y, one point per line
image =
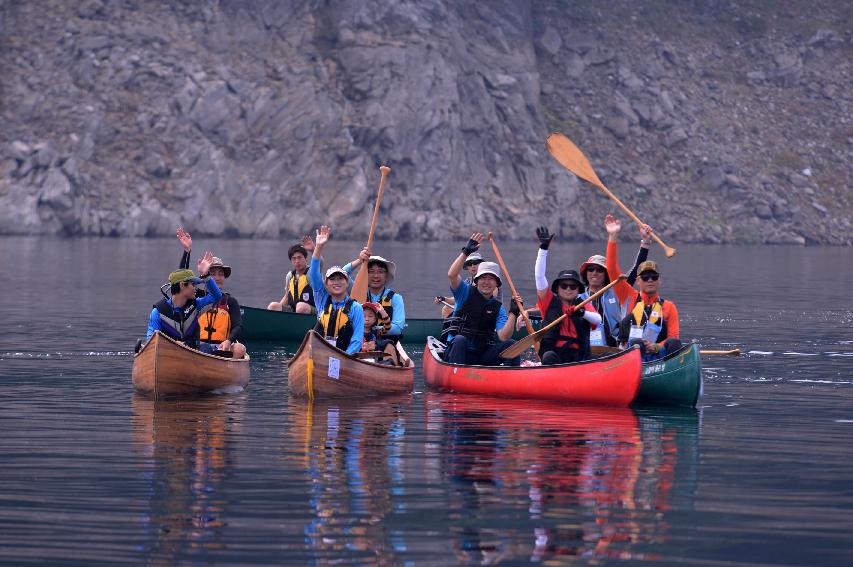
x: 338, y: 315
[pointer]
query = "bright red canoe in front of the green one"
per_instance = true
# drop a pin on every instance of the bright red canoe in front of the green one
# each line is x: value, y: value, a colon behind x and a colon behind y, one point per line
x: 612, y: 380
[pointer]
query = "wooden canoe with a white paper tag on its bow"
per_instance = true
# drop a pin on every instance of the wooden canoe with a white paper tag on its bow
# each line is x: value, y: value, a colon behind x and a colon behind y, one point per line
x: 319, y: 370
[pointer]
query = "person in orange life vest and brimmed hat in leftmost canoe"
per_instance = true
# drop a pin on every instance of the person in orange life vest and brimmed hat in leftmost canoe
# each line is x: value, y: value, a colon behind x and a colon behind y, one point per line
x: 221, y: 326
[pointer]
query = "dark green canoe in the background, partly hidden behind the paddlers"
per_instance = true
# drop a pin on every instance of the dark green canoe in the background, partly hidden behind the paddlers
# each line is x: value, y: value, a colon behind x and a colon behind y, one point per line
x: 265, y: 325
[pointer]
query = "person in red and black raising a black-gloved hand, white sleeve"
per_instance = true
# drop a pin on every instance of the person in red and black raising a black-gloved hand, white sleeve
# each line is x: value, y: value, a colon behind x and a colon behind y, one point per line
x: 569, y: 341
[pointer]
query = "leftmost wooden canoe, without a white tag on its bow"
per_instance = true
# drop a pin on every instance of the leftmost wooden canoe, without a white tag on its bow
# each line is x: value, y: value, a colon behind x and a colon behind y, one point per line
x: 162, y: 367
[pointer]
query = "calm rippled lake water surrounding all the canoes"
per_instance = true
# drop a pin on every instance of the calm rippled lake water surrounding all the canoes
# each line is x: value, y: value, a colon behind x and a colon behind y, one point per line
x: 761, y: 473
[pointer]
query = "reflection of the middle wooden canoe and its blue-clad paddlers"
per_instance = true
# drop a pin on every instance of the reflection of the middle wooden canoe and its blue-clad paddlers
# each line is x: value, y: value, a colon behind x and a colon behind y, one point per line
x: 353, y: 457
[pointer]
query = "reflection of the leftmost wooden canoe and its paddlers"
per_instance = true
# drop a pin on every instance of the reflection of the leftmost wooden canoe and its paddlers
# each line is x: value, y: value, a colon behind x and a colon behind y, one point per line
x: 186, y: 448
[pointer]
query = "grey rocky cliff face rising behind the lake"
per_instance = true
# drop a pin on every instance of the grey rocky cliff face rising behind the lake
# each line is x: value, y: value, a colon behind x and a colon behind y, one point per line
x: 268, y: 117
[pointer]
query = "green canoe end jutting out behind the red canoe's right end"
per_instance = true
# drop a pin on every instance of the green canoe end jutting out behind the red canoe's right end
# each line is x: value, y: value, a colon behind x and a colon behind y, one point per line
x: 674, y: 380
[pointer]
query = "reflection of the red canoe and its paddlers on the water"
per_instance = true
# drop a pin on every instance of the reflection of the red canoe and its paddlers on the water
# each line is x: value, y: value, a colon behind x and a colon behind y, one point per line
x: 593, y: 481
